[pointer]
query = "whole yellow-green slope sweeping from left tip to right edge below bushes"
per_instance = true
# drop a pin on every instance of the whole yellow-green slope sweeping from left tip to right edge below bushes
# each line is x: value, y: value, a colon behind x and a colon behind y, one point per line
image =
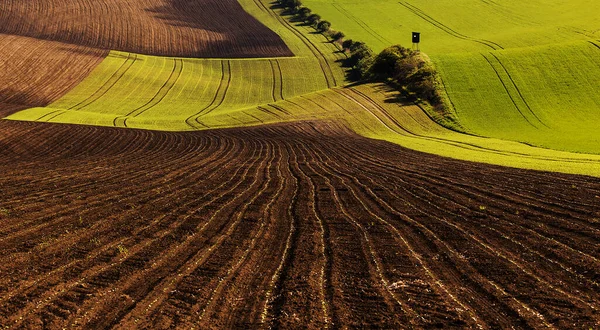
x: 255, y: 97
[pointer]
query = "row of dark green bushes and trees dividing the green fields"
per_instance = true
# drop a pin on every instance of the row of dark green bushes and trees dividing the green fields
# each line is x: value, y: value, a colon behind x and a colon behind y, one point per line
x: 406, y: 69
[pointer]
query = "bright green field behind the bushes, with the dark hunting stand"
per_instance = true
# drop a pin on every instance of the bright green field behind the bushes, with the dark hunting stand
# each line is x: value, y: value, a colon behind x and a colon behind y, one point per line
x: 526, y: 71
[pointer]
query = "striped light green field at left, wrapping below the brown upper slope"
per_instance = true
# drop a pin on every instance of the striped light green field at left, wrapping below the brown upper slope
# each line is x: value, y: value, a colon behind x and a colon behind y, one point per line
x: 165, y: 93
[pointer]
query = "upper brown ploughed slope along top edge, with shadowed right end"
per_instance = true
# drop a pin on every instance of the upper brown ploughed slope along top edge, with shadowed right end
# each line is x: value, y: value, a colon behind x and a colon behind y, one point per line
x: 189, y: 28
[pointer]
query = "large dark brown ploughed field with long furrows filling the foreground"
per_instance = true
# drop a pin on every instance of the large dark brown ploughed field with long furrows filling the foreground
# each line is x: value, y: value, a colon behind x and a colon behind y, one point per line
x: 290, y: 225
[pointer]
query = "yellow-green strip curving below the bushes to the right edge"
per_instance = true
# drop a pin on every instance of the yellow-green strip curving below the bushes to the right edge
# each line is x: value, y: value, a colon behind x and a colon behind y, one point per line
x: 371, y: 111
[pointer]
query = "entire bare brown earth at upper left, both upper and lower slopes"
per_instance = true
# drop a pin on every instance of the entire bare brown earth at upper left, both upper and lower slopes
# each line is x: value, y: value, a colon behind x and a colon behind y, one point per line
x: 47, y: 47
